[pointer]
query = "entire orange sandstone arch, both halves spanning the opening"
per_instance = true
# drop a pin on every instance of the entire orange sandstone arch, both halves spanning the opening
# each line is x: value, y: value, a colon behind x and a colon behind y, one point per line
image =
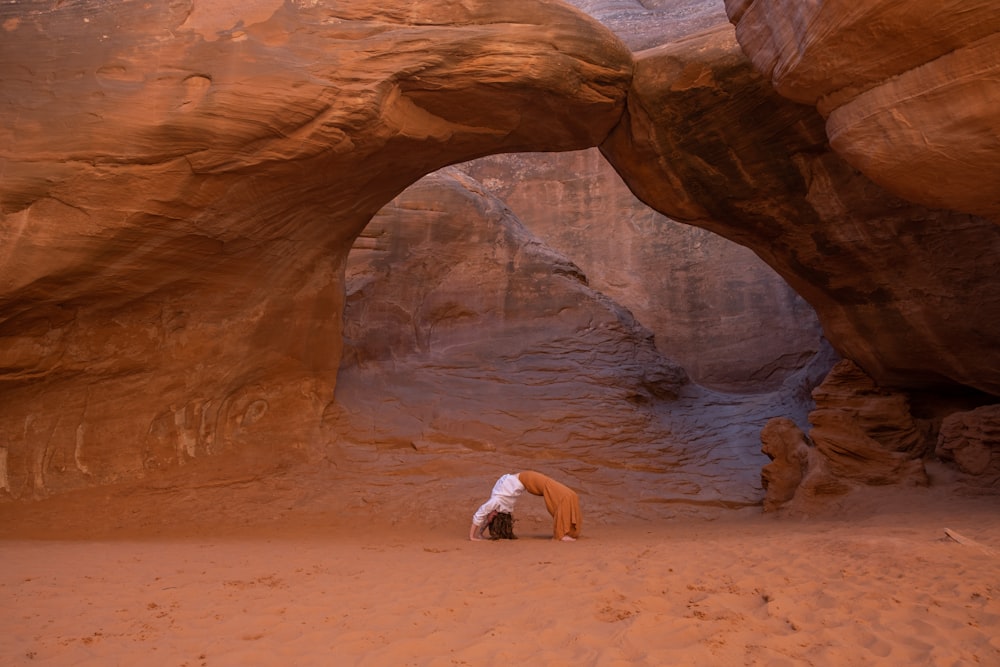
x: 180, y: 185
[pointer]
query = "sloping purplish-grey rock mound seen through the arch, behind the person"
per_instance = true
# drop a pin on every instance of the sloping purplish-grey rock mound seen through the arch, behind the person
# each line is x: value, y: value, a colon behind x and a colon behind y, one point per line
x: 467, y: 336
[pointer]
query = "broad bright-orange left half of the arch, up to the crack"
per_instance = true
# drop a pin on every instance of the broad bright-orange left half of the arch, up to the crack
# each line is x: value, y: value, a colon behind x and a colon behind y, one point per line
x: 172, y: 267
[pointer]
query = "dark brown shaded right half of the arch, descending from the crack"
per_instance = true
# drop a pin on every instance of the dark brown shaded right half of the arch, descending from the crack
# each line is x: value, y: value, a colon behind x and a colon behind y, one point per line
x: 907, y: 292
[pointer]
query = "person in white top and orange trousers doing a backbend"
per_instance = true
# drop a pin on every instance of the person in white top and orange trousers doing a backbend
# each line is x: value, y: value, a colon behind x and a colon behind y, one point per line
x: 561, y: 502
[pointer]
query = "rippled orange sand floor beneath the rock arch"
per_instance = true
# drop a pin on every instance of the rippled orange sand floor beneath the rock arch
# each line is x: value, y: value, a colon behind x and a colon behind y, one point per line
x: 270, y: 570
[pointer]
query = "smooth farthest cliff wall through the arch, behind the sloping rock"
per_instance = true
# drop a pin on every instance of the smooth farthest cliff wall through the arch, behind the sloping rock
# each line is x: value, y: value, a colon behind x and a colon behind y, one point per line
x: 713, y: 306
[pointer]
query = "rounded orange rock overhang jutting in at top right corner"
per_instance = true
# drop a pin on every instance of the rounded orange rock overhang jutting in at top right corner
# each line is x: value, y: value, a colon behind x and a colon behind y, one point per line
x: 911, y: 91
